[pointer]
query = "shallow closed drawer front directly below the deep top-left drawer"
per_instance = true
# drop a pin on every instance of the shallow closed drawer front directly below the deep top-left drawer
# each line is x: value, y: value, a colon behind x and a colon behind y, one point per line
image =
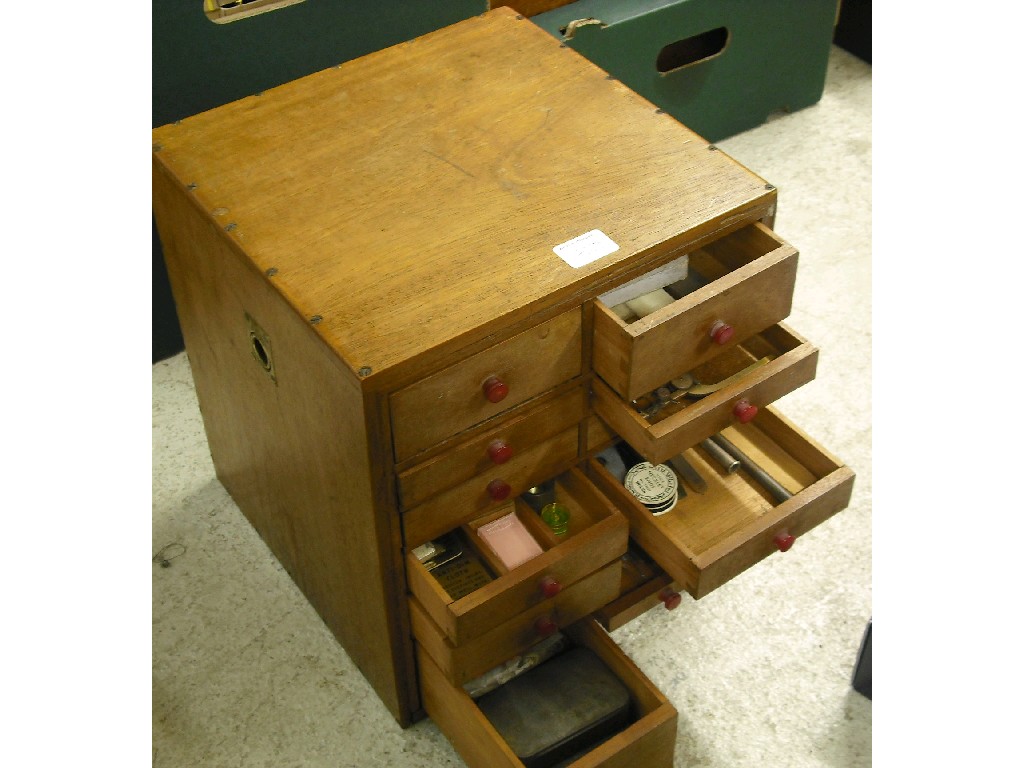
x: 478, y: 456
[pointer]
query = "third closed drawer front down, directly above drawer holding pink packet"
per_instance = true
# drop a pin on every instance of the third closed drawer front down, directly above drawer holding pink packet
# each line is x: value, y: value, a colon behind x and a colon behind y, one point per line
x: 459, y: 505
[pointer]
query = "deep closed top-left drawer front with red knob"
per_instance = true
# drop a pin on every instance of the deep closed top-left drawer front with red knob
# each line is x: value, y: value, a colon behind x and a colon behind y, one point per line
x: 456, y: 399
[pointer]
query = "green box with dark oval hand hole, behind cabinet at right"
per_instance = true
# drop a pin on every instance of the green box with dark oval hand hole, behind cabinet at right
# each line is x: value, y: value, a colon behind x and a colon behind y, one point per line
x: 720, y: 67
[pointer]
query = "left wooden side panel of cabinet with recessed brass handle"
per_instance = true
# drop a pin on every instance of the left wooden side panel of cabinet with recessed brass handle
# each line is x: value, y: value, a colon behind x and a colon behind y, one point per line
x: 287, y: 428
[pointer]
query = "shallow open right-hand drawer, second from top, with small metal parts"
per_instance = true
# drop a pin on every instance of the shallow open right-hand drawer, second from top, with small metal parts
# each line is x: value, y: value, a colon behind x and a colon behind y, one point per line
x: 792, y: 362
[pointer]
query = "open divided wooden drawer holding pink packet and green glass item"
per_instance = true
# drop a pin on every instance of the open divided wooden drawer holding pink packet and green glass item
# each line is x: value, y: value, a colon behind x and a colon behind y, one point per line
x: 598, y: 536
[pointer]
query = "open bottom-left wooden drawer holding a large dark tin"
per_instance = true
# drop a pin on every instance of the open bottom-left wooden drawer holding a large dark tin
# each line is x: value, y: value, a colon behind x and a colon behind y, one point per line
x: 649, y: 741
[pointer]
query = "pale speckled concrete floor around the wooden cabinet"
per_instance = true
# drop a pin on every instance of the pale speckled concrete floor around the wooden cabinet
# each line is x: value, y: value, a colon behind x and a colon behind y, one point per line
x: 245, y: 673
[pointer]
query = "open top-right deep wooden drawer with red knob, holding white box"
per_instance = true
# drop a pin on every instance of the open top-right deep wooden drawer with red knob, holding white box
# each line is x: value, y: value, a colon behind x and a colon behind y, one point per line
x: 746, y: 281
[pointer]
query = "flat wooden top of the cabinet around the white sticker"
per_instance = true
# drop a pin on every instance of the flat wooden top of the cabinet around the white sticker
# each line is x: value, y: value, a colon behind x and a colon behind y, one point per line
x: 413, y: 199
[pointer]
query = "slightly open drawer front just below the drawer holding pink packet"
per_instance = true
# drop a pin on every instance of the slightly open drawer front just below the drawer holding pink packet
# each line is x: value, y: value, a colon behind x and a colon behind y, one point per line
x: 471, y: 660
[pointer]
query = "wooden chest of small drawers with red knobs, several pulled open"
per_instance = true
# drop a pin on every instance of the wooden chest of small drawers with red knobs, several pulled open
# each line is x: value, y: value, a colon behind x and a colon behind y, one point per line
x: 389, y: 276
